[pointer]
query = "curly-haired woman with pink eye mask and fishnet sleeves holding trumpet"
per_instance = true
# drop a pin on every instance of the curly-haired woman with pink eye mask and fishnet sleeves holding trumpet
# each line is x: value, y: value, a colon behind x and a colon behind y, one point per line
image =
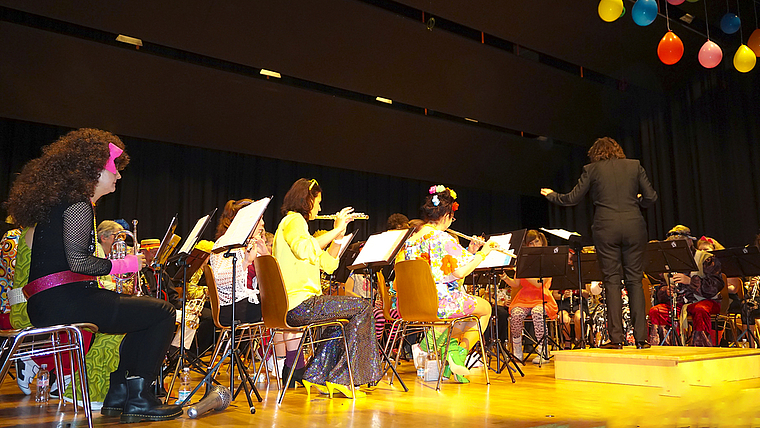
x: 54, y: 196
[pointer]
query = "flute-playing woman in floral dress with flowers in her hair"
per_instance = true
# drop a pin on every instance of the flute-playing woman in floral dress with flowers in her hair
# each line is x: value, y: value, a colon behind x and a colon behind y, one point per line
x: 449, y: 263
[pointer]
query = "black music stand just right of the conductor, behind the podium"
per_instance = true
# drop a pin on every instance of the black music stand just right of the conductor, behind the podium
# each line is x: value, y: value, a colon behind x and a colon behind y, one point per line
x: 667, y: 257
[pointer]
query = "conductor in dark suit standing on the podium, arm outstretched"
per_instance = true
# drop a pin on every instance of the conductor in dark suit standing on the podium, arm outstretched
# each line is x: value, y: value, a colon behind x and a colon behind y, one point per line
x: 619, y: 189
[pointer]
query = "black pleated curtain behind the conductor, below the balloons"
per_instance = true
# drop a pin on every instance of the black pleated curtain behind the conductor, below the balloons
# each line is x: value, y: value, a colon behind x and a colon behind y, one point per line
x: 699, y: 146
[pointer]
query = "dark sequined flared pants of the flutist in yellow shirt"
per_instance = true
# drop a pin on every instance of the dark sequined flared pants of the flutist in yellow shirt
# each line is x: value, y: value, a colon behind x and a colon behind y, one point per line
x: 329, y: 361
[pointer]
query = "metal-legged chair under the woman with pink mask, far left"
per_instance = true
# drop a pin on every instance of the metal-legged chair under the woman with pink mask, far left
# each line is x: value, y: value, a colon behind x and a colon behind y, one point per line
x: 37, y: 342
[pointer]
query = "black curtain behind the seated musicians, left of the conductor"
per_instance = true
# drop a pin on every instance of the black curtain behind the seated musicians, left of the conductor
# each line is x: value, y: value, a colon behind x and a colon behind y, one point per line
x: 163, y: 179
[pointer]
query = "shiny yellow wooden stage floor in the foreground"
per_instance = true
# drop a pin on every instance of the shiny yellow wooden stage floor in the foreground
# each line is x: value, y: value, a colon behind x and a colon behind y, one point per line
x: 537, y: 400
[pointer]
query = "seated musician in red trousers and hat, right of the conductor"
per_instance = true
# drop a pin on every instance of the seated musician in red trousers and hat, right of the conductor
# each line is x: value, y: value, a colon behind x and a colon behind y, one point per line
x: 699, y: 291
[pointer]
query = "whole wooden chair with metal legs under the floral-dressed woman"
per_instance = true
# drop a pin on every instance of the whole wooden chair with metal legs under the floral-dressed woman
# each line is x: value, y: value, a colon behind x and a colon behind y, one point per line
x: 417, y: 301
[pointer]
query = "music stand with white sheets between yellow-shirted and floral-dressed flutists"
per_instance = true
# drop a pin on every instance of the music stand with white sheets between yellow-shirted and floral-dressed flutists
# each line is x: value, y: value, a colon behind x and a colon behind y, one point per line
x: 379, y: 251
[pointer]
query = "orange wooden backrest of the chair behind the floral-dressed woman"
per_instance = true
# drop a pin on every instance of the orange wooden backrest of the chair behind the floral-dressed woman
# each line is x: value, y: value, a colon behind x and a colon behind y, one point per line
x: 416, y: 295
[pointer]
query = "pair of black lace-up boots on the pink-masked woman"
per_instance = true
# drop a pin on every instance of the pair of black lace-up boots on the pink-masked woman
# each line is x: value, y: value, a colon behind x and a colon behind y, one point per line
x: 134, y: 400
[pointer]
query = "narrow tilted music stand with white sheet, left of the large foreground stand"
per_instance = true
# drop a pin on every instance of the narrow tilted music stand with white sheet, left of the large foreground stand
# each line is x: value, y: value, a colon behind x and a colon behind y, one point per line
x: 189, y: 258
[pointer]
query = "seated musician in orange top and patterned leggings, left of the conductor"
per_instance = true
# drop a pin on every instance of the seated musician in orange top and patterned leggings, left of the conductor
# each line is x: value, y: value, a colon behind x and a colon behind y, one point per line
x: 530, y: 298
